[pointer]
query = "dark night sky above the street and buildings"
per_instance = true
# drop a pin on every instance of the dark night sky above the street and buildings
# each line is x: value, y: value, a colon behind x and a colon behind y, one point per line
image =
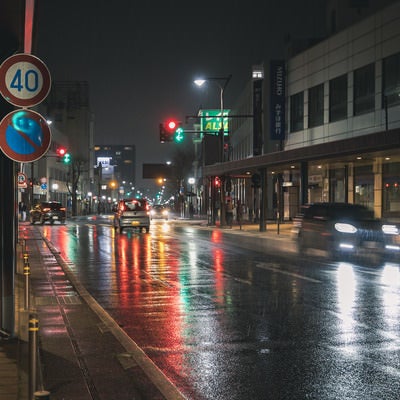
x: 140, y: 59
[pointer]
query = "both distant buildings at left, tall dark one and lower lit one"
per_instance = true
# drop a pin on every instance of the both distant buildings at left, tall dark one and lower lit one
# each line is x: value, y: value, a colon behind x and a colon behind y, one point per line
x: 72, y: 125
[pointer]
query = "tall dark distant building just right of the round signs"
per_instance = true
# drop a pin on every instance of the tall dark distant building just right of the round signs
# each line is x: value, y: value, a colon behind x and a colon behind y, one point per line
x: 71, y: 121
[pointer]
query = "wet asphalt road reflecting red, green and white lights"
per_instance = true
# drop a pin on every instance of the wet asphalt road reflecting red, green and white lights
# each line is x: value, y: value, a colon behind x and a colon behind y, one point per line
x: 227, y: 323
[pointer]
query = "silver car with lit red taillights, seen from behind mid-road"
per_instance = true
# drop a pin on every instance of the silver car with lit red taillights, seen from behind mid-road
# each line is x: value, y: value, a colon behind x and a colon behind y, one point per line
x: 132, y: 213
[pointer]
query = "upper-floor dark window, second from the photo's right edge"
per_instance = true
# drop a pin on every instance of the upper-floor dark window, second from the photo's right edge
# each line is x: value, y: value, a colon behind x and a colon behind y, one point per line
x: 364, y: 89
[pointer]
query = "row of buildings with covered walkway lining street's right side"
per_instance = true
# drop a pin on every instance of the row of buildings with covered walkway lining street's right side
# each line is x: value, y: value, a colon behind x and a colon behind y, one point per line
x: 341, y: 127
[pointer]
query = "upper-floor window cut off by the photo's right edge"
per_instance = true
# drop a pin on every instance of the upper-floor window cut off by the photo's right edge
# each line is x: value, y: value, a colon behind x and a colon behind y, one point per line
x: 391, y: 80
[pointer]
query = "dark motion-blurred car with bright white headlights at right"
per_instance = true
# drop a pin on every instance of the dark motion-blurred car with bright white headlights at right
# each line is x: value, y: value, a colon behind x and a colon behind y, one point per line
x: 341, y: 228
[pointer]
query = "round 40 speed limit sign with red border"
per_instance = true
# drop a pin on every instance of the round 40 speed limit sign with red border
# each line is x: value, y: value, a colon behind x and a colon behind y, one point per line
x: 24, y: 80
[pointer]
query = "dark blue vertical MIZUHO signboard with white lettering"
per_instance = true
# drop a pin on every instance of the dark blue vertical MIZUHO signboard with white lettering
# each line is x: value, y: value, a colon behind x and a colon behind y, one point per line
x: 277, y: 100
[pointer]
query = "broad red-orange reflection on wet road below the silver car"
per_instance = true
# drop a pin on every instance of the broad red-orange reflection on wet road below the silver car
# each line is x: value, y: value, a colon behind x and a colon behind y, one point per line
x: 149, y: 293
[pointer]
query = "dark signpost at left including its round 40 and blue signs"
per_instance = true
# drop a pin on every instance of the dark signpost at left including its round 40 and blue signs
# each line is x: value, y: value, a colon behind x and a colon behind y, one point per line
x: 24, y: 137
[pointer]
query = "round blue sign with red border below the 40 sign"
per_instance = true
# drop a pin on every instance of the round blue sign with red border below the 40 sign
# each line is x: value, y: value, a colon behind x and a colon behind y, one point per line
x: 24, y: 135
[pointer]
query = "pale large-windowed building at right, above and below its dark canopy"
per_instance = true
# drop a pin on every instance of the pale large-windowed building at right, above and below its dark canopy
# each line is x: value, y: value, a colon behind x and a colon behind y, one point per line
x: 348, y: 87
